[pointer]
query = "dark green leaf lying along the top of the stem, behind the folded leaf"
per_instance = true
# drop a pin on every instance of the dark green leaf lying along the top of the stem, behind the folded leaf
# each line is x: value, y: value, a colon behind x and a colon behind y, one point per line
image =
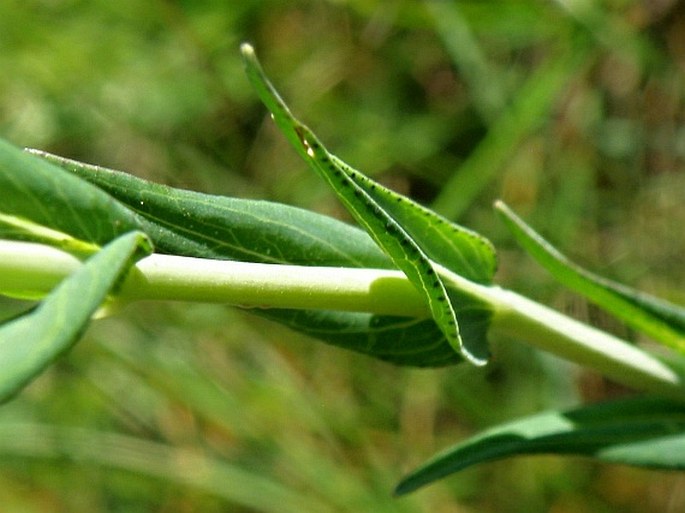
x: 189, y: 223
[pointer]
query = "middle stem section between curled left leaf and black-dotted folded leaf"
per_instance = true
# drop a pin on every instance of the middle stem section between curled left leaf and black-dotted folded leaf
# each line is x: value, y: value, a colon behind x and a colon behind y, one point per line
x: 256, y: 285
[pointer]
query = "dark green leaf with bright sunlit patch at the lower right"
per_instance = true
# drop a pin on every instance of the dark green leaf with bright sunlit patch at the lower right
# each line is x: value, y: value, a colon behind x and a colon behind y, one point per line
x: 643, y: 431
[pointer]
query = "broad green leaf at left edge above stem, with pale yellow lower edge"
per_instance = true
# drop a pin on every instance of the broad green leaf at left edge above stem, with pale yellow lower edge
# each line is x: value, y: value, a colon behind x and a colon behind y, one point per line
x: 43, y: 203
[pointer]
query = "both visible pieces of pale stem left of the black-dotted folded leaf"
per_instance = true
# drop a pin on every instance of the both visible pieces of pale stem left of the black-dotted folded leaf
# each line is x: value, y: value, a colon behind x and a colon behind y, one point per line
x: 29, y: 269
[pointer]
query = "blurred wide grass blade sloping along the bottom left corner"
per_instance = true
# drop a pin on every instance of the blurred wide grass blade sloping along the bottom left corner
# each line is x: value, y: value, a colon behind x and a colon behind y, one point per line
x: 185, y: 467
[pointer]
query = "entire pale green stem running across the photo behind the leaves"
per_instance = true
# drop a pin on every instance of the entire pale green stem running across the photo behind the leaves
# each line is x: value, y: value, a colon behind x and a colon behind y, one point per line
x: 33, y: 269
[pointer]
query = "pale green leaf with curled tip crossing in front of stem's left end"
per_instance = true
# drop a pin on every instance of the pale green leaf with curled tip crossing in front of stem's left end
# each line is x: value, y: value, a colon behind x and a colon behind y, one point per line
x: 29, y: 344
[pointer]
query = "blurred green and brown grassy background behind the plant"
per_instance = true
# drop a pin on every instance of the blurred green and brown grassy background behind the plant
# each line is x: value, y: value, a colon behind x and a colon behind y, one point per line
x: 571, y: 111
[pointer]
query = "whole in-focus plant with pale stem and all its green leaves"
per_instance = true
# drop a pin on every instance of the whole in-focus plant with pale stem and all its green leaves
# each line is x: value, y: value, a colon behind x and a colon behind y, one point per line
x: 411, y: 288
